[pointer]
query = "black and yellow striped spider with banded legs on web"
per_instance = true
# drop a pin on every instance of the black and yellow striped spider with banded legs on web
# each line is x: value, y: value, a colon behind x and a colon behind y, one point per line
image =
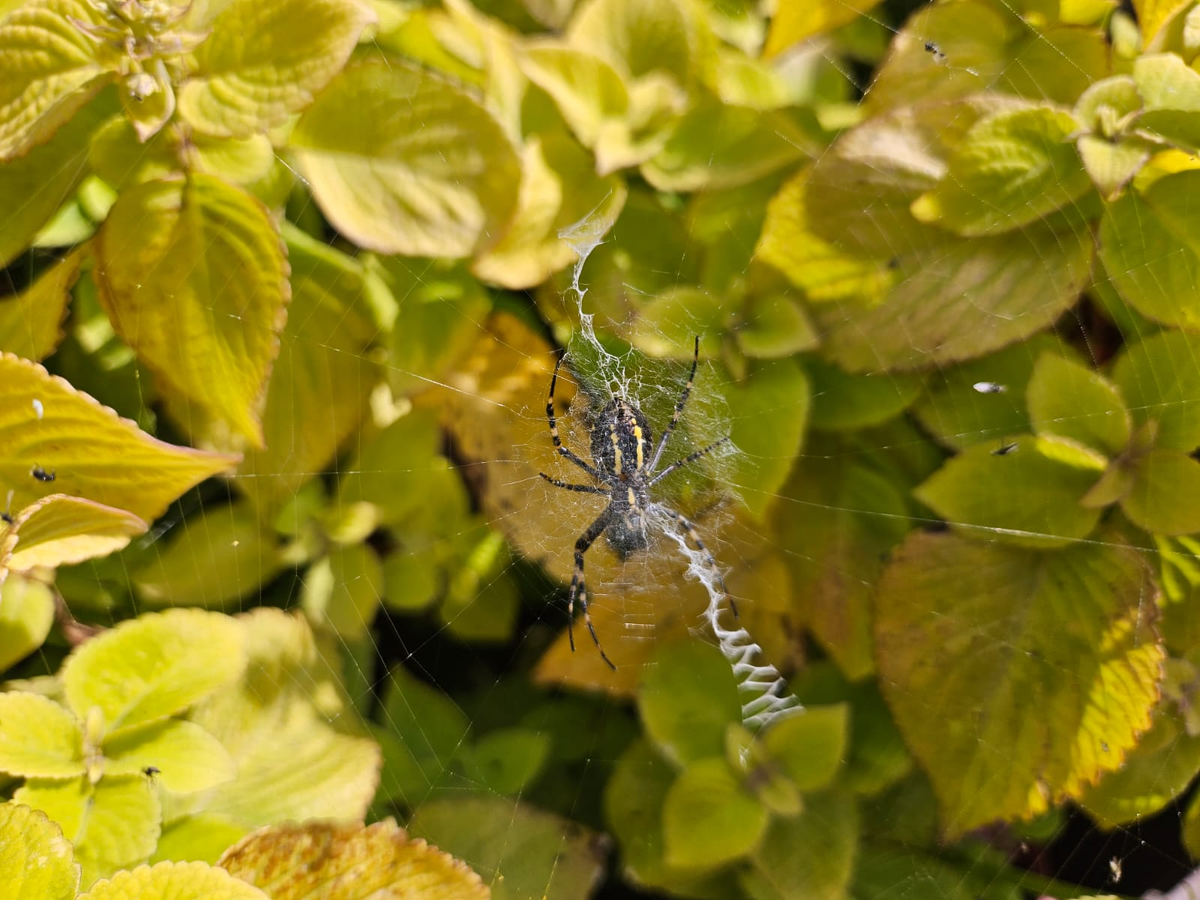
x: 625, y: 471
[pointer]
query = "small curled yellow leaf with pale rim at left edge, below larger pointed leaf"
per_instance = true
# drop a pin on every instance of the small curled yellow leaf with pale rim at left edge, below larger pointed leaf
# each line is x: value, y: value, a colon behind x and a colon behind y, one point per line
x: 62, y: 530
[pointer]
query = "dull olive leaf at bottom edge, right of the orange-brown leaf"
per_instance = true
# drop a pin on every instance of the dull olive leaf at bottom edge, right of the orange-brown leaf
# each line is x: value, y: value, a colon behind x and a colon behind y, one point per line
x: 519, y: 850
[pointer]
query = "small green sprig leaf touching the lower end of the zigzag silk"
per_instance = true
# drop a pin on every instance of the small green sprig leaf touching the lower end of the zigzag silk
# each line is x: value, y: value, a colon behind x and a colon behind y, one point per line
x: 811, y: 745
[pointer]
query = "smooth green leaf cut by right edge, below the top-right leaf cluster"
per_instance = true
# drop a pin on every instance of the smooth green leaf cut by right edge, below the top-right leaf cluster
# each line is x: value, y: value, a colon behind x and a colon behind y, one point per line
x: 1151, y: 250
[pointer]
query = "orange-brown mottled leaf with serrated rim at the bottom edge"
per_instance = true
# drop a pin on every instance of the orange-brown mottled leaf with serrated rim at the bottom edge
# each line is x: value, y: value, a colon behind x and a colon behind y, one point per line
x: 346, y: 862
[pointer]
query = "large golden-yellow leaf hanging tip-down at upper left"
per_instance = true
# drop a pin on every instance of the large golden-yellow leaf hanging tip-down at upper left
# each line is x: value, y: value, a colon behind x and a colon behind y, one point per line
x: 194, y: 277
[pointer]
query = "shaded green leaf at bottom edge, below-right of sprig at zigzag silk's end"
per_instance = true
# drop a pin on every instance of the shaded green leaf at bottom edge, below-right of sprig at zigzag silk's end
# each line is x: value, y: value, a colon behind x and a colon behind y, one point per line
x: 811, y: 857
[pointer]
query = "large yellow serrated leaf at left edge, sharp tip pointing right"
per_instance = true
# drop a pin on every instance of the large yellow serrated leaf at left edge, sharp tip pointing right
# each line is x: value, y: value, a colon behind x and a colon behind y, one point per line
x: 47, y: 424
